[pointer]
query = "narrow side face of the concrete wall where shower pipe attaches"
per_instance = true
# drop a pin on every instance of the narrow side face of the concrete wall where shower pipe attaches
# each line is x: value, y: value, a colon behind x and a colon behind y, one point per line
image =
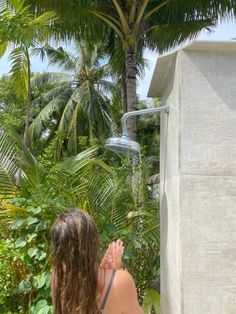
x: 169, y: 182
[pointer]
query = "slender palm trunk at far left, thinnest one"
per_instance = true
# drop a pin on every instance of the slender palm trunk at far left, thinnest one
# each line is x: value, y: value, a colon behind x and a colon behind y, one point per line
x: 28, y: 102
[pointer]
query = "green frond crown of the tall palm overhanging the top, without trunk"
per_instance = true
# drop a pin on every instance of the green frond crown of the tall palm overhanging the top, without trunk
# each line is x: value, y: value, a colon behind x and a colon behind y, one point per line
x: 154, y: 23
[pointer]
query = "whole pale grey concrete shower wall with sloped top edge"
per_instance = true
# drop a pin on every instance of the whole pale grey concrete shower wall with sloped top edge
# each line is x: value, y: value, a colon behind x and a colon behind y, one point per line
x: 198, y: 182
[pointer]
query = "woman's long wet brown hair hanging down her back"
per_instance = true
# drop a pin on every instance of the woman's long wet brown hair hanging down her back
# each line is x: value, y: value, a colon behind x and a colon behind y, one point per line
x: 74, y: 242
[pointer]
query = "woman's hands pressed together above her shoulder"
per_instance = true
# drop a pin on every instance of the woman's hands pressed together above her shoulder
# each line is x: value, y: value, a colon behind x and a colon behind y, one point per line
x: 113, y: 255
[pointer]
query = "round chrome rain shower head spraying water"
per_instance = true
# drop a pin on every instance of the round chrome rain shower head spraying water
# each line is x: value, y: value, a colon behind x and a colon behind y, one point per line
x: 122, y: 144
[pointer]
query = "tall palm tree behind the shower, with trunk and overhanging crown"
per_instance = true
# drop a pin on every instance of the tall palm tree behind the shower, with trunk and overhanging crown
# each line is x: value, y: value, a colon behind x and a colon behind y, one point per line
x: 137, y: 24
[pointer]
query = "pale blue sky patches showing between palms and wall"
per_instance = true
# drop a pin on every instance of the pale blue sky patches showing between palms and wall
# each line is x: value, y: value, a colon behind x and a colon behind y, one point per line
x: 224, y: 31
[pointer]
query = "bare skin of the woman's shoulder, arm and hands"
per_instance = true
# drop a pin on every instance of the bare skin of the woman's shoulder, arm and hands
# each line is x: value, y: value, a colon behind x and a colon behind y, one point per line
x: 122, y: 298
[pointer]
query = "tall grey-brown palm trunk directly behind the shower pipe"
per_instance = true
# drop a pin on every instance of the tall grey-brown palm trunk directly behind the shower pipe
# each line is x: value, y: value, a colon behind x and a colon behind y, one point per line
x: 131, y: 86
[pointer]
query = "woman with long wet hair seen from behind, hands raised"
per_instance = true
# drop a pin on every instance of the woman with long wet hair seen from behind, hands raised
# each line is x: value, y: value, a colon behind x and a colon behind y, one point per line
x: 79, y: 285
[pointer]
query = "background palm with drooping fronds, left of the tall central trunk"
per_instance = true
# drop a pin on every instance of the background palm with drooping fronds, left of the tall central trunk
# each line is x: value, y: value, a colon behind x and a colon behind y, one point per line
x: 80, y: 104
